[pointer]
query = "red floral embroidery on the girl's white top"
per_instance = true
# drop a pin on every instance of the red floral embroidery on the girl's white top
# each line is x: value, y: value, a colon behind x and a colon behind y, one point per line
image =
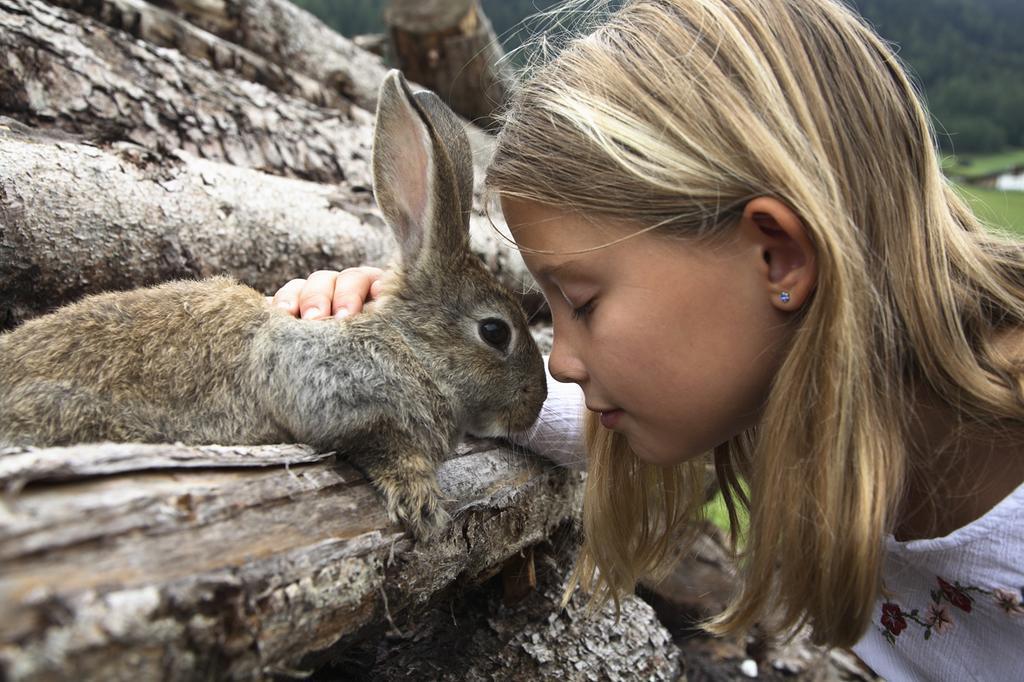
x: 938, y: 618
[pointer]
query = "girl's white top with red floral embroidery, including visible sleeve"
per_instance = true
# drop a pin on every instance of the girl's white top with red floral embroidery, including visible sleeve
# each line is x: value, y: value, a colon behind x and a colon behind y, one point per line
x: 953, y: 607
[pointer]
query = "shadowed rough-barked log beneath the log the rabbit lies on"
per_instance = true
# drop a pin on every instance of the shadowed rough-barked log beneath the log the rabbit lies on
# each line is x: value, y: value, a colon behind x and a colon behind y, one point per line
x: 479, y: 635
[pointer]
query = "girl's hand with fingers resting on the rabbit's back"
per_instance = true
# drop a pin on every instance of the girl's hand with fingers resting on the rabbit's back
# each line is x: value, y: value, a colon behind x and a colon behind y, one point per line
x: 328, y: 293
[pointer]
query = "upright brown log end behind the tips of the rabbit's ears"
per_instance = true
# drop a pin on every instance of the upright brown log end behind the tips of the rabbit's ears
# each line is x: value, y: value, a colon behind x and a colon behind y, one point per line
x: 451, y: 49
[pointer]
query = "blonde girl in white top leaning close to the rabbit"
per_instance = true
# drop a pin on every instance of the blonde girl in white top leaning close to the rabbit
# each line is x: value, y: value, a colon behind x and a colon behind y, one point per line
x: 736, y: 211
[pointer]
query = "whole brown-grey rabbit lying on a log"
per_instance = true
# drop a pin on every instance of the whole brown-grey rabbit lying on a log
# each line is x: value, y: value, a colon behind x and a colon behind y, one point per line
x: 445, y: 351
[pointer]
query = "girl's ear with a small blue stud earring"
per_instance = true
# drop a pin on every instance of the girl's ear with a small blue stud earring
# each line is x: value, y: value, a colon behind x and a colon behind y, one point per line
x: 789, y: 260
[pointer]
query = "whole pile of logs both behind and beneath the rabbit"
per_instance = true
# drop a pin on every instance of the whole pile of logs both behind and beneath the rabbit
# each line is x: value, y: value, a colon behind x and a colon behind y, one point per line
x: 142, y: 142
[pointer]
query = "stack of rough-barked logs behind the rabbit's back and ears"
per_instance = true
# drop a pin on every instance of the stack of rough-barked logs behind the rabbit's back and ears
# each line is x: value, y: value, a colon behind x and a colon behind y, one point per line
x: 185, y: 167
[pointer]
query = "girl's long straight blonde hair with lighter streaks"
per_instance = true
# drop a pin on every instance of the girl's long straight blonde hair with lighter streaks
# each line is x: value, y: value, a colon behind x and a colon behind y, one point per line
x: 680, y: 112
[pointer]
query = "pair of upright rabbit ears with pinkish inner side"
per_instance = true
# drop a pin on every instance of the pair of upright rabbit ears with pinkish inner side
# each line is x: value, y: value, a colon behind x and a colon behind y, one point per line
x: 423, y: 173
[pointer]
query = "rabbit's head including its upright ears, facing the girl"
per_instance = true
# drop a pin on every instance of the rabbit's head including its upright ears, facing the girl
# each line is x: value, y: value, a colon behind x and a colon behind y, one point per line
x: 471, y: 330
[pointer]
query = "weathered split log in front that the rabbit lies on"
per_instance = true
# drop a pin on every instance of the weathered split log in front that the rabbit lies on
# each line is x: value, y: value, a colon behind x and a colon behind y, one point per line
x: 158, y: 570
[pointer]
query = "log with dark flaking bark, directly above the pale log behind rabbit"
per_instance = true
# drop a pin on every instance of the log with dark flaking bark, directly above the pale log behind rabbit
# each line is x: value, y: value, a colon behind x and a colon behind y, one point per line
x: 59, y: 69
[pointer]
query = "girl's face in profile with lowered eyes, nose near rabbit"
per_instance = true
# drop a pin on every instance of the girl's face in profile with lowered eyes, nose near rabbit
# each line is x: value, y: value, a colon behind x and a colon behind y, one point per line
x: 675, y: 344
